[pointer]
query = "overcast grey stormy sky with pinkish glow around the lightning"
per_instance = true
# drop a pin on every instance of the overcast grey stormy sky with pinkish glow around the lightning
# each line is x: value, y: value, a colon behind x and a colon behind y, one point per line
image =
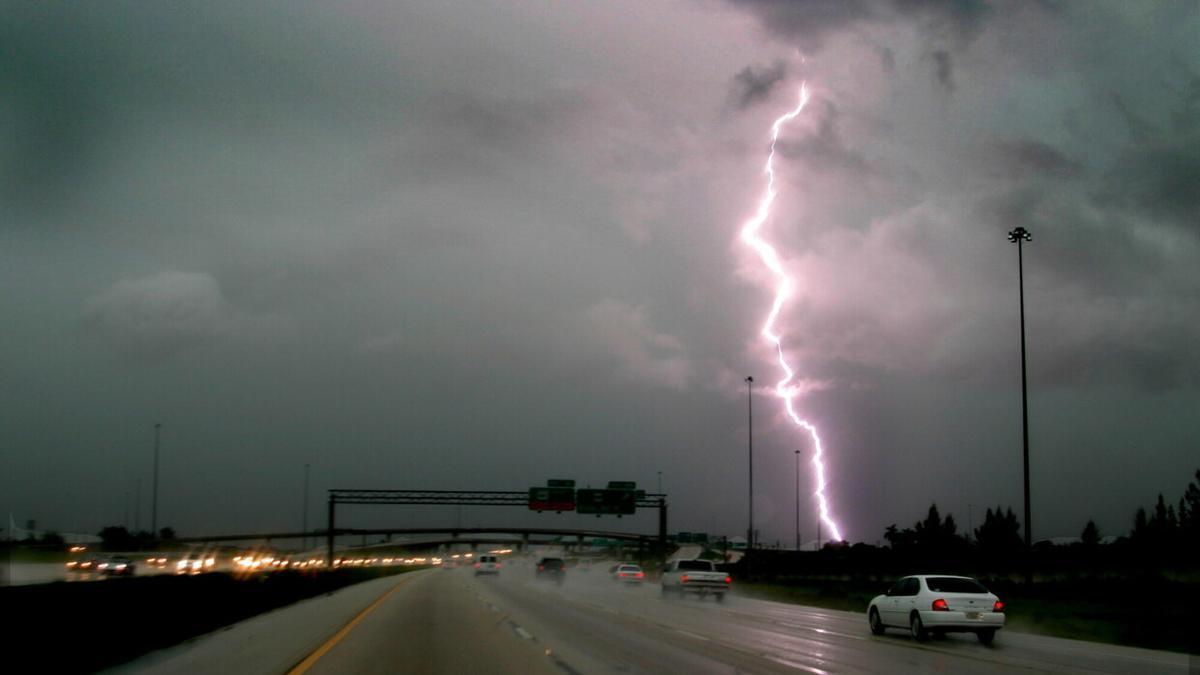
x: 477, y: 246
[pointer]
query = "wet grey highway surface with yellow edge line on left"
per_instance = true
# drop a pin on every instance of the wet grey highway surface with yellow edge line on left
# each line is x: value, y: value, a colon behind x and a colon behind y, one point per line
x: 451, y: 622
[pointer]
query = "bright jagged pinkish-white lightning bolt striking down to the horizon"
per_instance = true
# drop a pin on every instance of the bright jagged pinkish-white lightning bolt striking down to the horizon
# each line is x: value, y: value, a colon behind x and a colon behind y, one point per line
x: 784, y: 289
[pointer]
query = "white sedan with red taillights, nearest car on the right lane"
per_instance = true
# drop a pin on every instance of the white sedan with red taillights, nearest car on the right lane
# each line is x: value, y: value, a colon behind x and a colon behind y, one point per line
x: 938, y: 605
